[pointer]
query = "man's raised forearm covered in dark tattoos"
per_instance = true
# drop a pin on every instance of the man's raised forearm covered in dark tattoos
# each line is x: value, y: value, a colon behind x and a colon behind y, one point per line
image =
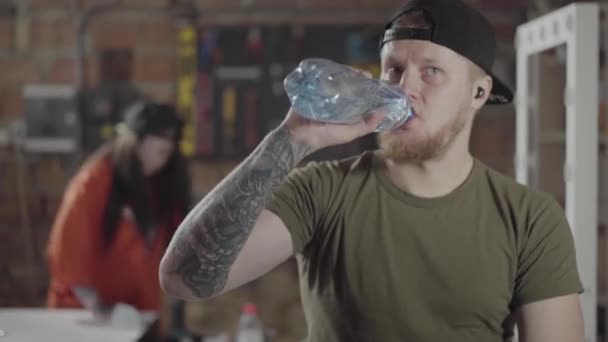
x: 210, y: 238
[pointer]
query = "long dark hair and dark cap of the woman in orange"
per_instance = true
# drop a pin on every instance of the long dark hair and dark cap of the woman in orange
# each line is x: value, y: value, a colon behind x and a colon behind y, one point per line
x: 153, y: 200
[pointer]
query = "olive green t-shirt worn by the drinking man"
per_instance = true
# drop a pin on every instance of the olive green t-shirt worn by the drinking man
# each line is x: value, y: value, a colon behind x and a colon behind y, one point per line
x: 379, y: 264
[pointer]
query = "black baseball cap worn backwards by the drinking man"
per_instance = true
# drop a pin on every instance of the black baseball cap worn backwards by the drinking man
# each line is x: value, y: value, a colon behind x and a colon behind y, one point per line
x: 458, y: 27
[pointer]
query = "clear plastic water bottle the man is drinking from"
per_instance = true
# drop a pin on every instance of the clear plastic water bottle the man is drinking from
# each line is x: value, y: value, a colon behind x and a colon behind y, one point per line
x: 323, y: 90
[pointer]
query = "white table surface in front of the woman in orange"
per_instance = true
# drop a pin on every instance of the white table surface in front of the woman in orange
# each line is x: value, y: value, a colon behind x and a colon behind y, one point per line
x: 65, y: 325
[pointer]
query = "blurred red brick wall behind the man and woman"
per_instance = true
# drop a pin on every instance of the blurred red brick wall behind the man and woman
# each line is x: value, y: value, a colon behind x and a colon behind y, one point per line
x: 38, y: 47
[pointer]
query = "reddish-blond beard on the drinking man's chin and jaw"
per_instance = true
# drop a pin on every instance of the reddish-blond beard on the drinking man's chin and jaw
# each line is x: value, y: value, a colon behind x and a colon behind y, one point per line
x: 422, y: 149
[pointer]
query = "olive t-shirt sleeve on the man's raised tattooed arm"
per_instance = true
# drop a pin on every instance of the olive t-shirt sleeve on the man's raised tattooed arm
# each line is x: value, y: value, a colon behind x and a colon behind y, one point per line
x: 302, y: 200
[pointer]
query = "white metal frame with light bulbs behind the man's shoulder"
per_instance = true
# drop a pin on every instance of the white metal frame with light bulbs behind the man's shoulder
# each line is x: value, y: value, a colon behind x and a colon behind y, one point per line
x: 576, y: 26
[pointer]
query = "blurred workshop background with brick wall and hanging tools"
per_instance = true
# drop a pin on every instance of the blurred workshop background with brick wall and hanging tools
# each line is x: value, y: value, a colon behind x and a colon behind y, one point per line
x: 68, y: 69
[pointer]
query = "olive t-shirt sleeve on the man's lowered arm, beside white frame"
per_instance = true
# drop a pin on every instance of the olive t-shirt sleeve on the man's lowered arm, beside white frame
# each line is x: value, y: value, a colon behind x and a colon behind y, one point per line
x: 547, y: 262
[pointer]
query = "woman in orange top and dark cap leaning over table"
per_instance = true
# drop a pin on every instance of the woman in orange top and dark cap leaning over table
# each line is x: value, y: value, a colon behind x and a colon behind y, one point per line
x: 119, y: 213
